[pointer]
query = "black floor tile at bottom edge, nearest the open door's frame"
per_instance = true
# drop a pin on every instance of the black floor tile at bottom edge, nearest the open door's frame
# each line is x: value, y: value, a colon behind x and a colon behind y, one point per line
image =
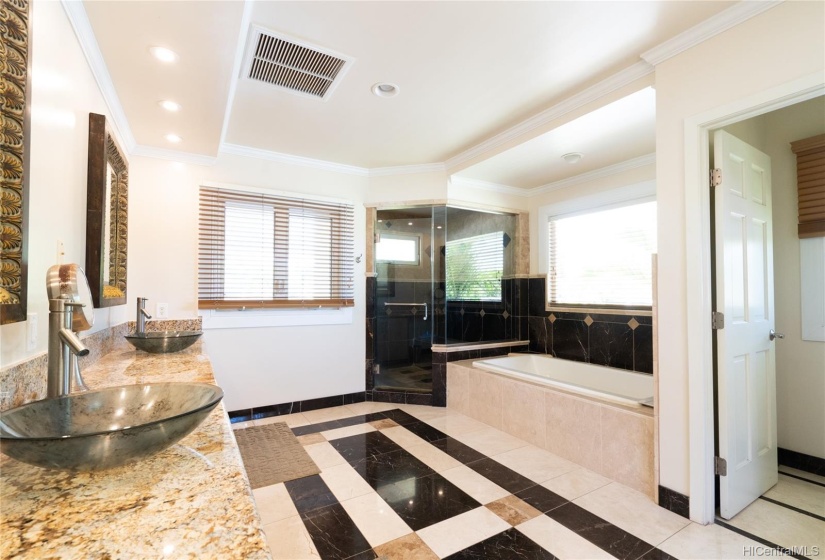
x: 608, y: 537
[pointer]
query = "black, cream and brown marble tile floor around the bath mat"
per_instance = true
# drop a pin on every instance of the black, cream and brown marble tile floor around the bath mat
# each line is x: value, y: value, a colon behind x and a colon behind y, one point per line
x: 411, y: 482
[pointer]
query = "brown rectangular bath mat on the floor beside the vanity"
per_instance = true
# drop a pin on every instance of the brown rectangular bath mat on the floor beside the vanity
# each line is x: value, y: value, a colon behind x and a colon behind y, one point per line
x: 272, y: 454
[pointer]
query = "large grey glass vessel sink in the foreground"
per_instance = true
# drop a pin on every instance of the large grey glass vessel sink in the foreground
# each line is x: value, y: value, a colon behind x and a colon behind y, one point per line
x: 107, y: 428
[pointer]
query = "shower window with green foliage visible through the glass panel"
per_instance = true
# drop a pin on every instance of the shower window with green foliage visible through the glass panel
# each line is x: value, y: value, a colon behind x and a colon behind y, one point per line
x: 475, y: 266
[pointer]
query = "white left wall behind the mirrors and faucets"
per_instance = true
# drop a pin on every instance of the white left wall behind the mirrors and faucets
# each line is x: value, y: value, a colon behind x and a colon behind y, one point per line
x: 64, y: 92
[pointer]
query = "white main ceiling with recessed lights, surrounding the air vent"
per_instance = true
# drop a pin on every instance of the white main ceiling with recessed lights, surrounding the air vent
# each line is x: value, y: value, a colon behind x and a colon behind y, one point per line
x: 466, y: 70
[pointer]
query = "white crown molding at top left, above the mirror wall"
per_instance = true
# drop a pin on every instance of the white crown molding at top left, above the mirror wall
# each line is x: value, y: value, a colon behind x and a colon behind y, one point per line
x: 88, y: 43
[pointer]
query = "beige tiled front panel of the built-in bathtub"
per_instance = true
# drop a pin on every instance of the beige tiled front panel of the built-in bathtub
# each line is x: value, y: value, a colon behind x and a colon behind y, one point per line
x: 613, y: 440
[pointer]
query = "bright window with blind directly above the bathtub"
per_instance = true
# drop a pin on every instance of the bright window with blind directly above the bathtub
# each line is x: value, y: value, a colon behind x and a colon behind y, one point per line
x: 602, y: 258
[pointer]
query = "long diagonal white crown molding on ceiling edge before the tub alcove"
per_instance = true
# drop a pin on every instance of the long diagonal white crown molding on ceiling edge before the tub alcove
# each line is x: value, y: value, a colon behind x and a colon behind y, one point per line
x: 594, y: 92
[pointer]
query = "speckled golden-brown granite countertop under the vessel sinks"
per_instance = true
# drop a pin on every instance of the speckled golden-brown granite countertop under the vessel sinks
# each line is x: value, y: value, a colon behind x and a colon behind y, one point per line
x: 192, y: 500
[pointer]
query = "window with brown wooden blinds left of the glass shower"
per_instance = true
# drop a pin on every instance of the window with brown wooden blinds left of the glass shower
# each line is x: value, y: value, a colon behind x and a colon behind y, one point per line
x: 260, y: 250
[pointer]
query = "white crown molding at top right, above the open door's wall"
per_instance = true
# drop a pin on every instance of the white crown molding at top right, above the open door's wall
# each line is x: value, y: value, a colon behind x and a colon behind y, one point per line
x: 707, y: 29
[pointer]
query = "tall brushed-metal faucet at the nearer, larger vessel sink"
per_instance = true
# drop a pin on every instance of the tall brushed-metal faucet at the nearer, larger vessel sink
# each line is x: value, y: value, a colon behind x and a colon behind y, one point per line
x: 64, y: 348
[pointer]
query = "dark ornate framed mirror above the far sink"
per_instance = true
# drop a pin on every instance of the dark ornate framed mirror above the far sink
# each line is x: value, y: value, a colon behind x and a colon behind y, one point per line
x: 106, y: 216
